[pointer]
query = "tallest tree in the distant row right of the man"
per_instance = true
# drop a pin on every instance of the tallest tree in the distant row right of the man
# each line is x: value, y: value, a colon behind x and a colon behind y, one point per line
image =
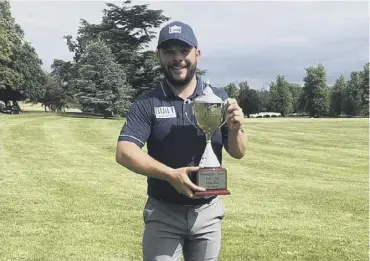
x: 314, y: 91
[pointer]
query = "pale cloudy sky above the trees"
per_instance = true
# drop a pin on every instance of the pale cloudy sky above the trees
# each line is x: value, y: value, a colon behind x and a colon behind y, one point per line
x: 239, y: 40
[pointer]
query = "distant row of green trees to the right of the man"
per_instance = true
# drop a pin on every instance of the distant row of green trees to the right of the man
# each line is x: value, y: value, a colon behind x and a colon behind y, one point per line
x: 314, y: 97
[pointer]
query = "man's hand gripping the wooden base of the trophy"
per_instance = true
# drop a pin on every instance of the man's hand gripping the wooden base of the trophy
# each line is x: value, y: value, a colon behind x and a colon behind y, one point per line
x: 179, y: 178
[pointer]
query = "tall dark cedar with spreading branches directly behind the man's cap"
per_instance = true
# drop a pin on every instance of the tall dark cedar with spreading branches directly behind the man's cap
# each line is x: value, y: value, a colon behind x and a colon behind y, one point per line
x: 127, y: 31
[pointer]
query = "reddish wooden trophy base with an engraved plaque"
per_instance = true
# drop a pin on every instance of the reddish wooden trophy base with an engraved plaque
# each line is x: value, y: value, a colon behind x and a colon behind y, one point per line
x: 214, y: 180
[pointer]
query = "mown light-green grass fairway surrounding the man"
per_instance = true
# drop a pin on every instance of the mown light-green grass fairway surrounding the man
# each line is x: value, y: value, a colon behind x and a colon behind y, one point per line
x: 300, y: 193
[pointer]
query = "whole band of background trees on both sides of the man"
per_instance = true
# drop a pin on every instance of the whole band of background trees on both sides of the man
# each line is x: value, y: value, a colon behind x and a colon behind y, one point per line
x: 112, y: 66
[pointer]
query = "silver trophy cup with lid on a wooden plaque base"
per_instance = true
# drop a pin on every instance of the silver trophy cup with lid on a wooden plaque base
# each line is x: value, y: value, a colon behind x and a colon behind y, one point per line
x: 209, y: 110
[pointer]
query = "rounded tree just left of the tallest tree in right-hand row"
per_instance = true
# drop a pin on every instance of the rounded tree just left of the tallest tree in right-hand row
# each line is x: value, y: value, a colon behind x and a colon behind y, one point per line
x: 280, y: 97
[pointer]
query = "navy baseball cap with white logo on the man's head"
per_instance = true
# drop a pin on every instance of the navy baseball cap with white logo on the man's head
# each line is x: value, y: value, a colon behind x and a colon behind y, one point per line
x: 178, y: 31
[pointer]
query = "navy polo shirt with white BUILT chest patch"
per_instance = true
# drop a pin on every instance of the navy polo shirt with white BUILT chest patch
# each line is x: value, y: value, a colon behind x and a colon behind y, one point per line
x: 158, y: 119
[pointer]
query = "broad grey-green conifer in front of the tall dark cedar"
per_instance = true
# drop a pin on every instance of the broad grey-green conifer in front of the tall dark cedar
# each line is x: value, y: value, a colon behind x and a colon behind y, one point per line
x: 101, y: 82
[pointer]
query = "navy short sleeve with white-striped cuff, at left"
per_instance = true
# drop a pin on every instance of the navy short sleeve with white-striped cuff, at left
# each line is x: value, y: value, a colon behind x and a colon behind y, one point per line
x: 138, y: 124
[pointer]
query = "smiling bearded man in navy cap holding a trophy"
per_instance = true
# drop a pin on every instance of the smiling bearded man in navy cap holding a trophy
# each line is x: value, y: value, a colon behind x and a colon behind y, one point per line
x: 177, y: 223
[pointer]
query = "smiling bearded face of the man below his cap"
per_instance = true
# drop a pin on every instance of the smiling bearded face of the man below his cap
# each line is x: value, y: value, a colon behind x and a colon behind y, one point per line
x: 178, y: 62
